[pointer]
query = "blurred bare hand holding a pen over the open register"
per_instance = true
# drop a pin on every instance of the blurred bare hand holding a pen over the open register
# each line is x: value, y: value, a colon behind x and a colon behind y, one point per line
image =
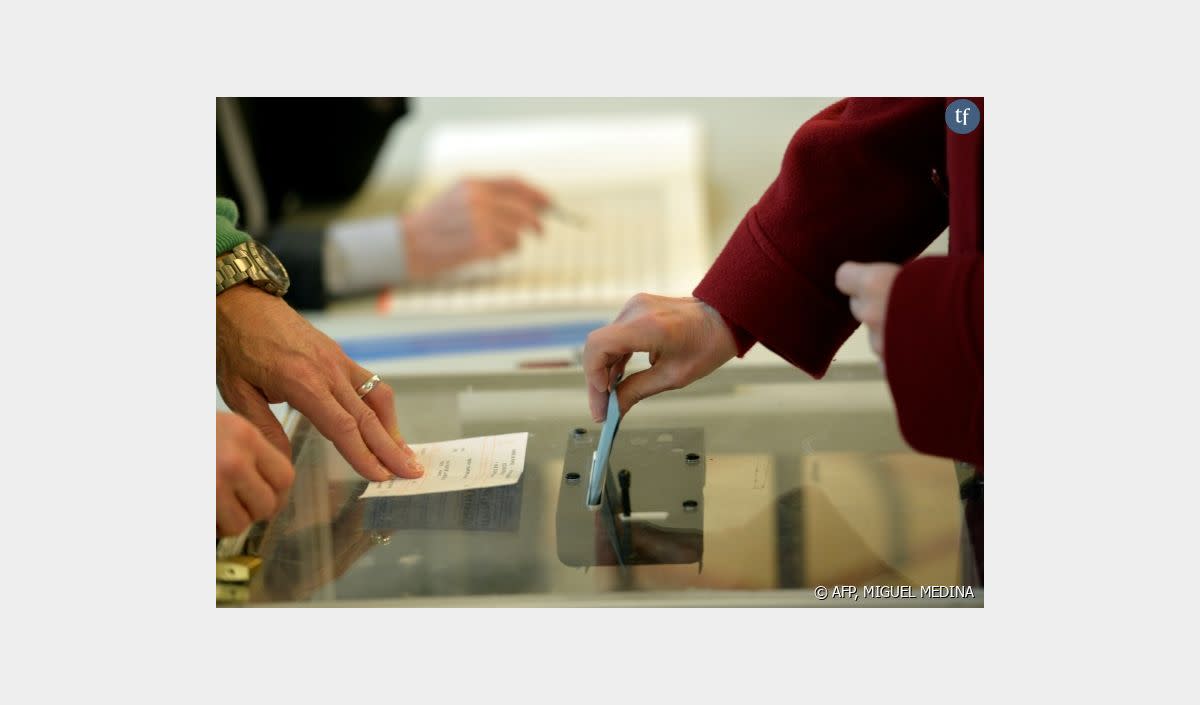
x: 476, y: 219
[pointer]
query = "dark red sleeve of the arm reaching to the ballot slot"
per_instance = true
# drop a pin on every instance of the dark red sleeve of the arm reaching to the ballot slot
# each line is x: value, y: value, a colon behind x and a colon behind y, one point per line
x: 855, y: 185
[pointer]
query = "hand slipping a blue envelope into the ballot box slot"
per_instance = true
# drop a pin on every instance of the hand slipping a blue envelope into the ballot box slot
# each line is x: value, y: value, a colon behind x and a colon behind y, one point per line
x: 686, y: 338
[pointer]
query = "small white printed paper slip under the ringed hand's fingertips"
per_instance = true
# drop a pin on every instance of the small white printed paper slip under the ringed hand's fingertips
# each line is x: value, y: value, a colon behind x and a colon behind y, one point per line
x: 470, y: 463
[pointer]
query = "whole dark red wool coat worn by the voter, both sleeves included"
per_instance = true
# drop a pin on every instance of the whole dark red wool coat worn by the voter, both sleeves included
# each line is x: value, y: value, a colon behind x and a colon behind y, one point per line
x: 872, y: 180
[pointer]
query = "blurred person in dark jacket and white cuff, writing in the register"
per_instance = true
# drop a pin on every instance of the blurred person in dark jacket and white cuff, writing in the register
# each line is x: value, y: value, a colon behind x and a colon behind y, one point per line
x: 291, y: 162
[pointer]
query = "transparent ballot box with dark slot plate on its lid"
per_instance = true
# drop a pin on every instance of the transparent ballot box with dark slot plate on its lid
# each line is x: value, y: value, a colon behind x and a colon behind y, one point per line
x: 754, y: 486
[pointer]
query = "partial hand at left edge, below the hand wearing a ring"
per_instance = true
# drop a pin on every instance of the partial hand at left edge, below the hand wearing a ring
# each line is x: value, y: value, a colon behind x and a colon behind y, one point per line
x: 254, y: 477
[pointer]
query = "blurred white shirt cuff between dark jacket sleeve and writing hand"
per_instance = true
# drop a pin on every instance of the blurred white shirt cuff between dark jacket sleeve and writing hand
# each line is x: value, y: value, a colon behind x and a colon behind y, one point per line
x: 364, y: 256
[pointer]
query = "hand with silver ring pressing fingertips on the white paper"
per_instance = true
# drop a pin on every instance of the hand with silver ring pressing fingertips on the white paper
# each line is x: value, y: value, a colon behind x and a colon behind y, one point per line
x: 267, y: 353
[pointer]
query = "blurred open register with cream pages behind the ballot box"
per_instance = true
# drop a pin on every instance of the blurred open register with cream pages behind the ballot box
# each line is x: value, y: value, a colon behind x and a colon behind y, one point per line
x: 629, y: 213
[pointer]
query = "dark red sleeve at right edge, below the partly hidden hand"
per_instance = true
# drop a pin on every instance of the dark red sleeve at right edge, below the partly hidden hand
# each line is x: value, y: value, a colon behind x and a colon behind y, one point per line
x: 935, y: 363
